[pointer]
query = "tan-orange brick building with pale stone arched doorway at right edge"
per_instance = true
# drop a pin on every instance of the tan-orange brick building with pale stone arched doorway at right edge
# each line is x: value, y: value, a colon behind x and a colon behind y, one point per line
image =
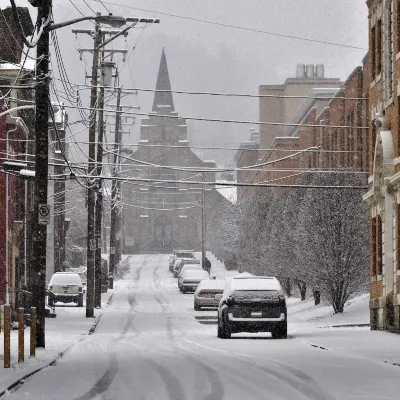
x: 383, y: 196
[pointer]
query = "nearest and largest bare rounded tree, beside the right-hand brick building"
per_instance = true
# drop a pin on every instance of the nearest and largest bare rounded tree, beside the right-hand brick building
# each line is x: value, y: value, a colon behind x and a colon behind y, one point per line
x: 332, y: 239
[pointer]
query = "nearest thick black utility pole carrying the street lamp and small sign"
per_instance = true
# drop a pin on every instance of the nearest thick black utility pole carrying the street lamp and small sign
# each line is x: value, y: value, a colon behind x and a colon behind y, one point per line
x: 41, y: 171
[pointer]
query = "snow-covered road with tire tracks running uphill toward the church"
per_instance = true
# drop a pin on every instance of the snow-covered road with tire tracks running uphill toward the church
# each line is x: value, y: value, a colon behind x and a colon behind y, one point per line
x: 151, y: 344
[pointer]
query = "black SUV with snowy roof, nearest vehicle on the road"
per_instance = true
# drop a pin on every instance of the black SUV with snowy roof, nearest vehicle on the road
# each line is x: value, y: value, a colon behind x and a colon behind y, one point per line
x: 256, y: 304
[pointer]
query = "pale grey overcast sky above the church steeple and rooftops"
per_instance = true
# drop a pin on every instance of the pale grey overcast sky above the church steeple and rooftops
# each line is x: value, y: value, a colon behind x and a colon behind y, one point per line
x: 205, y: 57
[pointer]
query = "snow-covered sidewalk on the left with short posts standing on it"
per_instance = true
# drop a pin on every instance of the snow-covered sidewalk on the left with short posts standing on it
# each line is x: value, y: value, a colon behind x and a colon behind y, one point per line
x: 70, y: 326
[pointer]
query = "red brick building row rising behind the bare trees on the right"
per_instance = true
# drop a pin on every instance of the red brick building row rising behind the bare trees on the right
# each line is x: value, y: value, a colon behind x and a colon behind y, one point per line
x: 309, y: 141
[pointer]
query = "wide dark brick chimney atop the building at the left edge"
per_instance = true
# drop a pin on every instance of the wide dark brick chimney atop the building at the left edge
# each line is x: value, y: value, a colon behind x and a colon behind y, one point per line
x: 11, y: 44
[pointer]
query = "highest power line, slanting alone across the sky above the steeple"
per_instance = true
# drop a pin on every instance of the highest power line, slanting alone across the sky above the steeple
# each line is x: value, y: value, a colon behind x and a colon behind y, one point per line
x: 222, y: 25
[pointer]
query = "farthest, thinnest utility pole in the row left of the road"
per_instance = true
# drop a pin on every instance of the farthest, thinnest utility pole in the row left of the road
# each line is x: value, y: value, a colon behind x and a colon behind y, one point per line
x: 114, y: 193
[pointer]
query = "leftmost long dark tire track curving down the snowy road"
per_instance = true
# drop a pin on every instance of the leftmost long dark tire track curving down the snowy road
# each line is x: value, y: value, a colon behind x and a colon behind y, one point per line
x: 108, y: 377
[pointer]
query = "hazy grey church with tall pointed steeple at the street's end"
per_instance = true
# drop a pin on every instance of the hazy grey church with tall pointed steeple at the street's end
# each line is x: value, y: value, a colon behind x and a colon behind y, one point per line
x: 160, y: 212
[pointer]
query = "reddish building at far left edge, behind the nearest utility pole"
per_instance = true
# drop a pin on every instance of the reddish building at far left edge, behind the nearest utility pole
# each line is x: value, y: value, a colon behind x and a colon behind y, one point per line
x: 15, y: 142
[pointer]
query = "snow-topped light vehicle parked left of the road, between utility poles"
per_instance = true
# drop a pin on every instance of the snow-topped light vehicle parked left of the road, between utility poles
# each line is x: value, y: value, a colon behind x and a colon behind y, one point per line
x: 65, y: 287
